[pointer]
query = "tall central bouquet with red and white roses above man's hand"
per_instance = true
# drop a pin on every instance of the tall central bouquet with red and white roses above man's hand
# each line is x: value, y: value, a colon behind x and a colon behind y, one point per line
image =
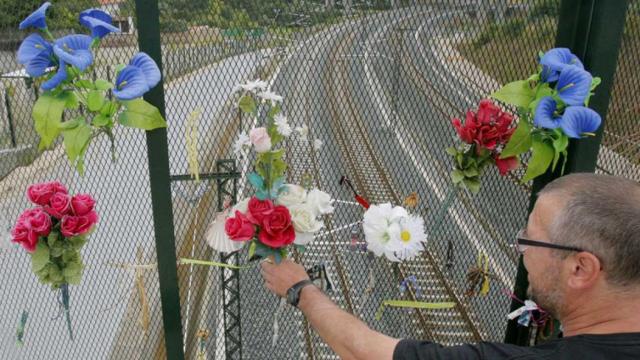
x: 279, y: 215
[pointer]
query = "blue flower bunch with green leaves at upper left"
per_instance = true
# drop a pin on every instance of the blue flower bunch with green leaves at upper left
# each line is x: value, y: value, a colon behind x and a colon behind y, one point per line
x: 74, y: 104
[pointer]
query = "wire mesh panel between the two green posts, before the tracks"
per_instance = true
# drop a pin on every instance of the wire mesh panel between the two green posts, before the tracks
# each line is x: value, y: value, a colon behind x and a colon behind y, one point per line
x: 379, y: 86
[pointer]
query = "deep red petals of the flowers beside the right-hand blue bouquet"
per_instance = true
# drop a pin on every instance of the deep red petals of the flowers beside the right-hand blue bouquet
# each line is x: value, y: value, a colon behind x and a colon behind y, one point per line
x: 487, y: 128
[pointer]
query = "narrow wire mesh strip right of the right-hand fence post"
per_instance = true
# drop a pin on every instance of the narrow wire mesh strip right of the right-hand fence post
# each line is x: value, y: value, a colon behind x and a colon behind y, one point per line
x: 620, y: 153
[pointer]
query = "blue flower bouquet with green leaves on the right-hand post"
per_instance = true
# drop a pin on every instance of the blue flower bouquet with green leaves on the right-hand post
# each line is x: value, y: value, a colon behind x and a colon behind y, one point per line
x: 552, y: 106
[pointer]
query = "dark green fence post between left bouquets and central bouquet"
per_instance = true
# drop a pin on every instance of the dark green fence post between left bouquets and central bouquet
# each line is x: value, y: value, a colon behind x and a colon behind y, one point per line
x: 148, y: 17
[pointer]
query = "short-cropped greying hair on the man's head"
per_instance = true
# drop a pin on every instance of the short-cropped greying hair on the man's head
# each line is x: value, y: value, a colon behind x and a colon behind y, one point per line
x: 600, y: 214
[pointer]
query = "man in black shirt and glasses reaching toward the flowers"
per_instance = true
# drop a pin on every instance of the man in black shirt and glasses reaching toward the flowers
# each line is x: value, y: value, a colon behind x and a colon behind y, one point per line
x: 581, y: 247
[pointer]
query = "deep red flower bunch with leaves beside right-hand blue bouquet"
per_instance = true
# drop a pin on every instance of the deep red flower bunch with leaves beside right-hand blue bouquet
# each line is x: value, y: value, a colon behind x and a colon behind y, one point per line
x: 484, y: 134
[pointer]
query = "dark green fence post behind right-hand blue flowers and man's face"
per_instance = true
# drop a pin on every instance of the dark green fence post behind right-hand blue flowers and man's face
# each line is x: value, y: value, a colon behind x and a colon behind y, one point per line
x: 592, y: 29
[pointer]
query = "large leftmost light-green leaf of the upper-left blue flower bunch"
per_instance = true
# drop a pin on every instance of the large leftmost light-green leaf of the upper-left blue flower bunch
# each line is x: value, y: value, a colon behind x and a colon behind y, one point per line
x: 47, y: 114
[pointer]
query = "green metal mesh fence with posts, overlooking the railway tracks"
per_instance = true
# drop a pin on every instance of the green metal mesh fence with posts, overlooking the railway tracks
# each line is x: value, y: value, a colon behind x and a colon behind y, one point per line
x: 378, y: 82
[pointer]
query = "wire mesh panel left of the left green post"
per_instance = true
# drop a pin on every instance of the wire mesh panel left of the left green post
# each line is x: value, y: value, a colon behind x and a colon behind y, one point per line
x: 106, y: 306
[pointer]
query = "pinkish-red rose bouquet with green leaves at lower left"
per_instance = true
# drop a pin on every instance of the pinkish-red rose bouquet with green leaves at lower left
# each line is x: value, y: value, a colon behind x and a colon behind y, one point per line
x: 54, y: 232
